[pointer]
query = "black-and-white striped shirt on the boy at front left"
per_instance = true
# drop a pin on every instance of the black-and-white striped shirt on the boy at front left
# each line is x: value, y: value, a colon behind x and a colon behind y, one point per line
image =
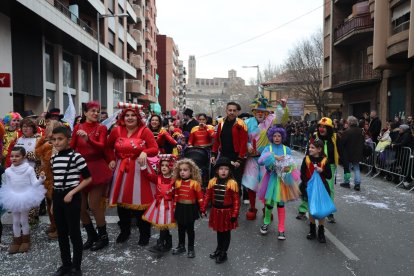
x: 67, y: 167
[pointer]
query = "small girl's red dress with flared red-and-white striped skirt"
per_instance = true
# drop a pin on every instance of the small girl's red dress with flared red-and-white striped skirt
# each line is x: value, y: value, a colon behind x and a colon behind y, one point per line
x: 161, y: 212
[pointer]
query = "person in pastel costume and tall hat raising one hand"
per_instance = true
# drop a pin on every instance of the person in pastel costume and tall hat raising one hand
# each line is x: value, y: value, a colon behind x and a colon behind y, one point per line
x: 257, y: 127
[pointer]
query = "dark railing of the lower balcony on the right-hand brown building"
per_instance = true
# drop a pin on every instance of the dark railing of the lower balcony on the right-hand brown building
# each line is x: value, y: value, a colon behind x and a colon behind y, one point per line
x: 356, y: 73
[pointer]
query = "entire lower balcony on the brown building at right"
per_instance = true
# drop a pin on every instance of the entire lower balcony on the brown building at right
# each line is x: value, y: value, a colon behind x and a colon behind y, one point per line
x: 354, y: 76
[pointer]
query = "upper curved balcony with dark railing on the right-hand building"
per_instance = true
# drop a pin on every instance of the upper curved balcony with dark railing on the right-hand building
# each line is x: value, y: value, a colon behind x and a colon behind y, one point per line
x: 353, y: 28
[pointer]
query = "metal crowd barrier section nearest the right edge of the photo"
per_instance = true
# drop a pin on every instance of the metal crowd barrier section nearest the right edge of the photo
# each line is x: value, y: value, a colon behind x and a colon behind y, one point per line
x: 395, y: 162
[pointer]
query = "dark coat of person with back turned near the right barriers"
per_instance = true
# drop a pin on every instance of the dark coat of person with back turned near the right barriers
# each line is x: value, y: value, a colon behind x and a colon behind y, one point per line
x: 352, y: 142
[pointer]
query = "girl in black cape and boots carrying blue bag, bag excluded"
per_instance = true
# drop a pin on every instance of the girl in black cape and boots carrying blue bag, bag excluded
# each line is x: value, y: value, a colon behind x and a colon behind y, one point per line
x: 315, y: 160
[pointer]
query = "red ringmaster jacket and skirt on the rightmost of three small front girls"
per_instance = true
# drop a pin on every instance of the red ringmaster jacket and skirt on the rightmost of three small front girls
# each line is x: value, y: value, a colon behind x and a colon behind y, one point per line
x: 225, y: 204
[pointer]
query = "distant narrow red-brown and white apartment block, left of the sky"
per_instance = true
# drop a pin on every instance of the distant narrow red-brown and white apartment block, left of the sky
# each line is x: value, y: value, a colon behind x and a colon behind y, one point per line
x: 168, y: 71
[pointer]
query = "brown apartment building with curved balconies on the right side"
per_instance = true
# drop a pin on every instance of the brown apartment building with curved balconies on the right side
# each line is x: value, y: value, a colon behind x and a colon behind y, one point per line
x: 368, y: 50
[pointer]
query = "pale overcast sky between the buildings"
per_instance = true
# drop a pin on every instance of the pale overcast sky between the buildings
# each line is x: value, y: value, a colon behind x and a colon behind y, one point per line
x: 206, y: 28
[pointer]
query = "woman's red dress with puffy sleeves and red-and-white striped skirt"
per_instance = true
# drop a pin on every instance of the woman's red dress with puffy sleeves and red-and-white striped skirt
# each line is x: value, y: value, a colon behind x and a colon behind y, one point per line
x: 130, y: 188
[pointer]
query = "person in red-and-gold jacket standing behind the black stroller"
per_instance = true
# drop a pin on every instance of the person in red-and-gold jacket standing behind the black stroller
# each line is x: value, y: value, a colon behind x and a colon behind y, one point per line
x: 203, y: 134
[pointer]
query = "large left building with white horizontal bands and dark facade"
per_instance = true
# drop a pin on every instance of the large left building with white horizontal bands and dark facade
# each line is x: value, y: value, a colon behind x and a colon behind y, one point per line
x: 48, y: 46
